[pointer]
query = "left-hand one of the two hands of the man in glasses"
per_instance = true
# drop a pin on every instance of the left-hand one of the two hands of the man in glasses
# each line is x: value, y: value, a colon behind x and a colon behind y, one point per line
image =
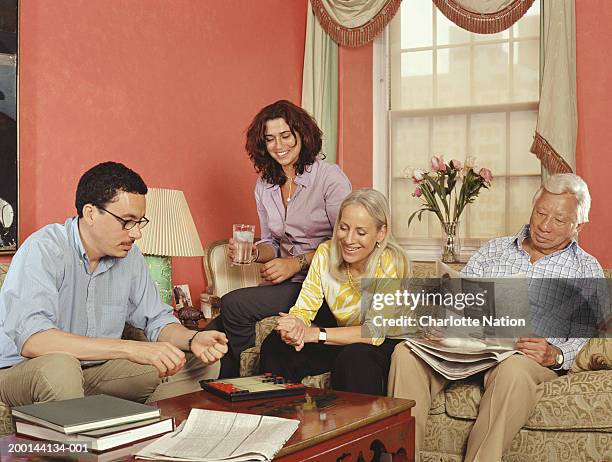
x: 164, y: 356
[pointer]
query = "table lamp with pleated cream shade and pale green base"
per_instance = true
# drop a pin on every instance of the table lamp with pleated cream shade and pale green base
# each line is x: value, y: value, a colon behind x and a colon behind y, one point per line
x: 170, y: 233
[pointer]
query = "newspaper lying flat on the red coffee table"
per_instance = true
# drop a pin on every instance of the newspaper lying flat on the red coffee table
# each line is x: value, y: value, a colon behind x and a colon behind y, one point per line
x: 222, y: 436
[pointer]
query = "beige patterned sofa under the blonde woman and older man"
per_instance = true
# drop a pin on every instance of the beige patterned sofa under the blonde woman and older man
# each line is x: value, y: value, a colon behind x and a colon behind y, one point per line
x: 572, y: 422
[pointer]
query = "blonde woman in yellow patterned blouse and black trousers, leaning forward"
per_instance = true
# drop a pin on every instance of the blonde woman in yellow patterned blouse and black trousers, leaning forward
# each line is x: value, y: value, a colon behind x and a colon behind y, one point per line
x: 361, y: 248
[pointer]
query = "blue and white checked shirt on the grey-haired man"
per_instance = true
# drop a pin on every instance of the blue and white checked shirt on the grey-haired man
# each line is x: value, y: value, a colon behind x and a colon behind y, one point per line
x: 505, y: 256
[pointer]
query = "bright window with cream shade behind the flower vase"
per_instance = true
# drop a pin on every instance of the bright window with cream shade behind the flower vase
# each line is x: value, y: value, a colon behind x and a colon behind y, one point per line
x: 451, y: 92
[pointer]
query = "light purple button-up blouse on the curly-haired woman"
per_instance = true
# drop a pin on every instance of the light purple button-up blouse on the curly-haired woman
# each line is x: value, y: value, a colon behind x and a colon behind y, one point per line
x: 311, y: 213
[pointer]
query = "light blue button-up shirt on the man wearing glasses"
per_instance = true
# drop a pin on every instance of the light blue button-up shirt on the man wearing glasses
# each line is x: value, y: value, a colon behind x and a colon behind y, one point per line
x: 49, y: 286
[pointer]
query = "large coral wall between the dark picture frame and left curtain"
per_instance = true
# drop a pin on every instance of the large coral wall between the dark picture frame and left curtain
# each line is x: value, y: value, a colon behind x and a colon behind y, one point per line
x: 168, y: 88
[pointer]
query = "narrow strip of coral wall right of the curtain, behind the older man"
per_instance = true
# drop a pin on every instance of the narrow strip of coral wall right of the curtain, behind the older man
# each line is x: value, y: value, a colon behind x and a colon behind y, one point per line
x: 593, y: 153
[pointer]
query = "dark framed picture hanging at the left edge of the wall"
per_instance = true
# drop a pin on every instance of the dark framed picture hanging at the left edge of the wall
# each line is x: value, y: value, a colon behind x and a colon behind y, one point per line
x: 9, y: 171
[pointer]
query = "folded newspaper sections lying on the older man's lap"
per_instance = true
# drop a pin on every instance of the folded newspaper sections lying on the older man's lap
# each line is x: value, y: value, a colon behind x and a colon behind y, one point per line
x: 458, y: 358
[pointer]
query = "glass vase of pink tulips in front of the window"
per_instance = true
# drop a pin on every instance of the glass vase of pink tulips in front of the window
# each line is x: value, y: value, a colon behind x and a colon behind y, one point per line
x: 445, y: 190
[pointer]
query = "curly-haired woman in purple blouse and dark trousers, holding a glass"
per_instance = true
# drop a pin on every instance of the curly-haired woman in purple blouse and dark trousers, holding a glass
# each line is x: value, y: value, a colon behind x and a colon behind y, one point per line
x: 298, y: 196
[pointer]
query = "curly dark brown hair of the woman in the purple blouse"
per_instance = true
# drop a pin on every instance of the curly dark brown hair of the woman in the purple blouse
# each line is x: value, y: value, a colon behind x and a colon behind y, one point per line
x: 300, y: 122
